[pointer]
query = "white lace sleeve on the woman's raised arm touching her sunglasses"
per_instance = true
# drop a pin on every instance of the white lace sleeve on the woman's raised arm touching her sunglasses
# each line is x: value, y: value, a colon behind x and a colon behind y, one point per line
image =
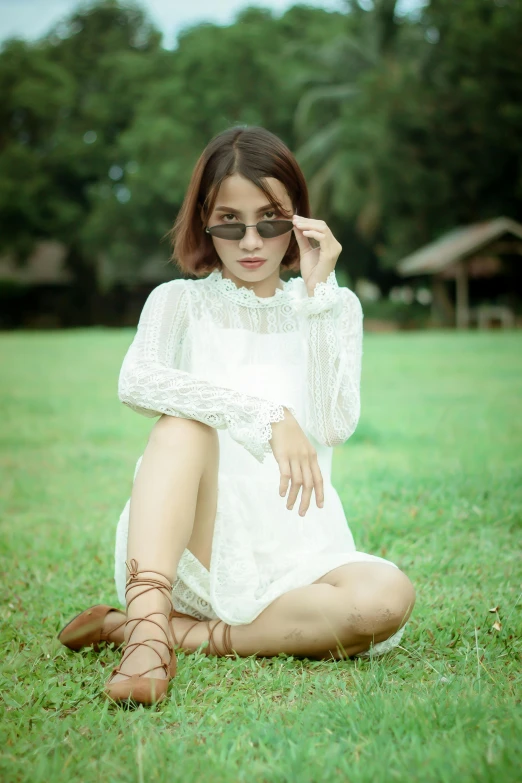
x: 334, y: 330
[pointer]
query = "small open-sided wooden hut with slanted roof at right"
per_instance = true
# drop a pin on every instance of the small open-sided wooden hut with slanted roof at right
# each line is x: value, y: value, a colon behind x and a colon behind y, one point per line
x: 482, y: 250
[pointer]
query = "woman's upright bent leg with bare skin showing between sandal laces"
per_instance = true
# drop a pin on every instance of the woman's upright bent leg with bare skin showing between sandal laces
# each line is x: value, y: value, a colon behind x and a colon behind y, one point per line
x: 173, y: 505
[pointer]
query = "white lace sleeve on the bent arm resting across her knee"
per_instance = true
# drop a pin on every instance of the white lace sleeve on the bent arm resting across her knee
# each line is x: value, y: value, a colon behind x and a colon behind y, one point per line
x: 150, y: 384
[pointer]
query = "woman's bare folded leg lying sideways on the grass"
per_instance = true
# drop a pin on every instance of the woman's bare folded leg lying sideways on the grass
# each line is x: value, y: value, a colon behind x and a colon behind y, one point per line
x: 339, y: 615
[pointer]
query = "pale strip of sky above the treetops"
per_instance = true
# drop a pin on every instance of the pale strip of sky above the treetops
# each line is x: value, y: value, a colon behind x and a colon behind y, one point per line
x: 31, y: 19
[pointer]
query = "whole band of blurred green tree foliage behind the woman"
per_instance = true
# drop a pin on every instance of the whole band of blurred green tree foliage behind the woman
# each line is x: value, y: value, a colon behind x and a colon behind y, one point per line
x: 405, y: 125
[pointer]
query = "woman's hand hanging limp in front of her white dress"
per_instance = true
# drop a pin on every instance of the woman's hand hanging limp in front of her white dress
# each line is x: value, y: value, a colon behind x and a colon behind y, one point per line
x: 297, y: 460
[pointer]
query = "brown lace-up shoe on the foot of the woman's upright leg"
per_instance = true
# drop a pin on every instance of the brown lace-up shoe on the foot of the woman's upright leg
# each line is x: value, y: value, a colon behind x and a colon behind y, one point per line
x: 139, y: 688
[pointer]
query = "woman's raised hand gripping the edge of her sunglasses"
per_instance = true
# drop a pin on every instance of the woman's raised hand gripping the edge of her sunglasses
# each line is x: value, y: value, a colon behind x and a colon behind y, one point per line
x: 316, y: 262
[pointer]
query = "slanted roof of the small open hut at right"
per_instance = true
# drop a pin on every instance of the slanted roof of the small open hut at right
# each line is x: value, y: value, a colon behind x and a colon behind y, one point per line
x: 455, y: 245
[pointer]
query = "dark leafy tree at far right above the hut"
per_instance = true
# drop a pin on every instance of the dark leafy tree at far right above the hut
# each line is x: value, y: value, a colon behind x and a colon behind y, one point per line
x: 454, y: 155
